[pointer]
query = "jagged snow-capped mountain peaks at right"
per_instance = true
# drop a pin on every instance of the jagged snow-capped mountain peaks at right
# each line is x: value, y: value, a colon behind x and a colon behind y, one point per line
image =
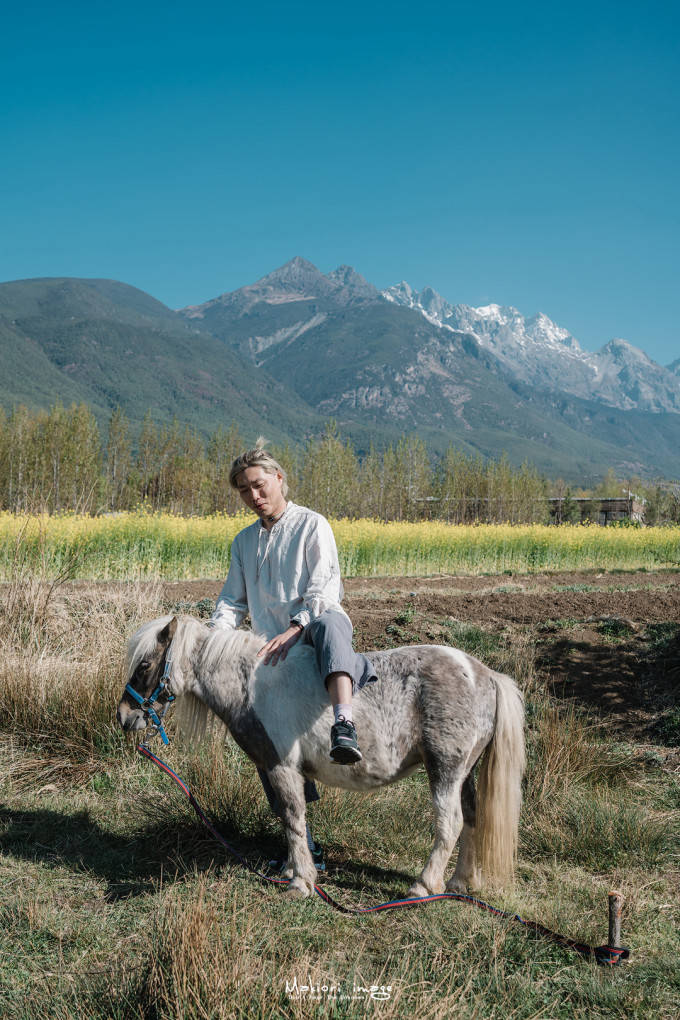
x: 538, y: 351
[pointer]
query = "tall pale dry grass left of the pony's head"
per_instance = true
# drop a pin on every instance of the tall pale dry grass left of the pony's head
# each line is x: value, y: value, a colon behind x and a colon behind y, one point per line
x: 62, y: 672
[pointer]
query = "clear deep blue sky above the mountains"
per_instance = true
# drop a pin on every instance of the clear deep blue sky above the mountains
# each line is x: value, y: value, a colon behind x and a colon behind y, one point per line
x: 526, y: 155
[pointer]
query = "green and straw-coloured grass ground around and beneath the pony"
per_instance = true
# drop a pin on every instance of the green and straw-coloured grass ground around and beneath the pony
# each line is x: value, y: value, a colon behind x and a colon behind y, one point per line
x: 117, y: 904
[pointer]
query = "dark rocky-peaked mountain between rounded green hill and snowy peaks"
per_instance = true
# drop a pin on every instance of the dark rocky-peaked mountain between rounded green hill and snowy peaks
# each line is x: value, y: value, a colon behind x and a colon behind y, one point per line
x: 379, y: 362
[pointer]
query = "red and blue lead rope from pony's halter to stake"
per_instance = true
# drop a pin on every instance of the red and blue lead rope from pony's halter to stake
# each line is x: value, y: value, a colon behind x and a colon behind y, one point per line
x: 602, y: 954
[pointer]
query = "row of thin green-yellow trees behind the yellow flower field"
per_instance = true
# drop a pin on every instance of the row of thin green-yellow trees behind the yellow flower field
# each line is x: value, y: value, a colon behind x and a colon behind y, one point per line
x: 59, y: 462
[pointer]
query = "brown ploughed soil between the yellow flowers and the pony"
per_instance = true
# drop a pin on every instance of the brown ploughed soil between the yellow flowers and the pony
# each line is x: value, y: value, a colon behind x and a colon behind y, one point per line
x: 611, y: 642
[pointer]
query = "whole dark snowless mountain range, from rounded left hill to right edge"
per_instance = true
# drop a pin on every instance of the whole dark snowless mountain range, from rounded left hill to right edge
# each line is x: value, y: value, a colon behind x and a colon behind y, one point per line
x: 288, y: 352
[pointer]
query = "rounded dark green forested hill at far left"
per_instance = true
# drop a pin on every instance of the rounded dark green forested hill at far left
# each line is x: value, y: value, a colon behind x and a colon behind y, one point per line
x: 109, y: 344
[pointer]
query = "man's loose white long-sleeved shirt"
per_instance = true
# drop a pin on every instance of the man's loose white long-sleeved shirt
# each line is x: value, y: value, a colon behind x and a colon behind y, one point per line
x: 290, y: 574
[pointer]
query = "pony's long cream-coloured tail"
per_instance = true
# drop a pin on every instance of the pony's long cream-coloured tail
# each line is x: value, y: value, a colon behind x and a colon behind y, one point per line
x: 500, y: 787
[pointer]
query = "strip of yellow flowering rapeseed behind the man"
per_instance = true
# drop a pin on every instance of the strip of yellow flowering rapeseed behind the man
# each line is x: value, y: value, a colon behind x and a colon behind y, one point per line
x: 142, y: 545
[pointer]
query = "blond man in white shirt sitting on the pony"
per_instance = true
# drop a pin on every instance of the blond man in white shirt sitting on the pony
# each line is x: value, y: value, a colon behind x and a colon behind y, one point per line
x: 285, y: 573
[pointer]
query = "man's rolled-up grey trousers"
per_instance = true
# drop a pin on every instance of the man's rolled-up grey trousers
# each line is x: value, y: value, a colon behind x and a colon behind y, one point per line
x: 331, y: 637
